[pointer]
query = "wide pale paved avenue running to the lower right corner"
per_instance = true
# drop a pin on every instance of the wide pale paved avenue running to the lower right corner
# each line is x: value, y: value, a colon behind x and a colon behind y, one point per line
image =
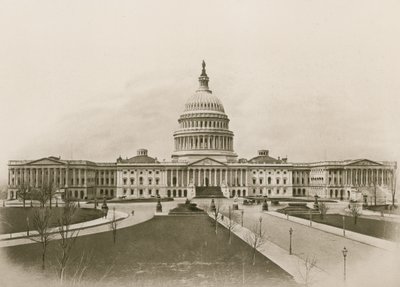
x: 366, y: 265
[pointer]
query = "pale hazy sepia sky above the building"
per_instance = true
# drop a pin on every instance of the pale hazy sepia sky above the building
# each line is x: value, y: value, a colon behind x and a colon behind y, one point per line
x: 93, y: 80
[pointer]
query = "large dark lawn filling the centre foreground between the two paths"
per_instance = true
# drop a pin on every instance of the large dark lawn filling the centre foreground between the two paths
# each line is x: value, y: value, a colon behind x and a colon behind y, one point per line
x: 164, y: 251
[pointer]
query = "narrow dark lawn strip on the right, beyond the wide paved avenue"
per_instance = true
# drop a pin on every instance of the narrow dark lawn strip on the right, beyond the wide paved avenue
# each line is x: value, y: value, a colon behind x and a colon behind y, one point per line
x: 372, y: 227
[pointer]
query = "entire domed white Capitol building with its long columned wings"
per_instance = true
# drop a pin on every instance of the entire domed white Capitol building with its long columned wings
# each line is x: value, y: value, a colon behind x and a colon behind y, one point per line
x: 204, y: 164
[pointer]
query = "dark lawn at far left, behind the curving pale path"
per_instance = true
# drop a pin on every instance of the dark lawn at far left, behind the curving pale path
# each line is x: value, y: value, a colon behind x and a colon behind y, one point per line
x: 13, y: 219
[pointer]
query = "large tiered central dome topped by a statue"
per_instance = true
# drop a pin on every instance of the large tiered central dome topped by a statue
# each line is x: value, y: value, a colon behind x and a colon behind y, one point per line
x: 203, y: 128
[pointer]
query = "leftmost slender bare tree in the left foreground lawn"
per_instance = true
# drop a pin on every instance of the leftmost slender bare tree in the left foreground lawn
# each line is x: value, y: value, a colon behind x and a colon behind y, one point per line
x: 41, y: 223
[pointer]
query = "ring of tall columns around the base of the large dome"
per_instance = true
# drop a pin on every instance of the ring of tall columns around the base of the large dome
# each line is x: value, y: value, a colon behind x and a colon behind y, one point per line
x: 204, y: 142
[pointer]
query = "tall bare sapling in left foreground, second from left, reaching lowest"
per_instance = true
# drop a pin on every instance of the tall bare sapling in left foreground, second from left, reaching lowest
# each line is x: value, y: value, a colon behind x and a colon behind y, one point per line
x: 68, y: 237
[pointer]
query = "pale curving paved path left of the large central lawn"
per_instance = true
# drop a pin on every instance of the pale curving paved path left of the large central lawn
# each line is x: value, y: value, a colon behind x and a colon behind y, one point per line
x: 143, y: 212
